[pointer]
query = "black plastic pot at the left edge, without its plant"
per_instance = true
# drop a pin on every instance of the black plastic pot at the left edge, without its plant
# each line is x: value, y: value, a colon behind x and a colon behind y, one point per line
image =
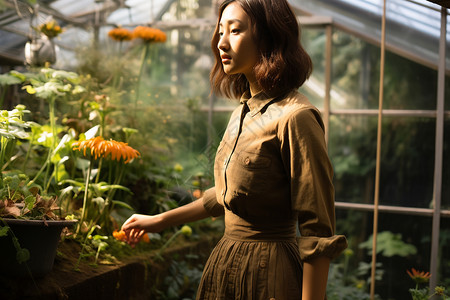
x: 39, y: 238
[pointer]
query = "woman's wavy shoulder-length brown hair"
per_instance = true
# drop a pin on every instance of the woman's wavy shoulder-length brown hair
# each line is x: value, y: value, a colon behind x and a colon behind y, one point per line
x: 283, y: 65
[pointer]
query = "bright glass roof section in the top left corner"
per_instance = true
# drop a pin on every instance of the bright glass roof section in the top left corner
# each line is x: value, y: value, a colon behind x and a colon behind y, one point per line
x: 77, y: 17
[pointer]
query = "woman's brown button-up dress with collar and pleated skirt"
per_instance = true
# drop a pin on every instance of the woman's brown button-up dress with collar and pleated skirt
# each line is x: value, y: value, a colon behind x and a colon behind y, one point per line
x: 272, y: 174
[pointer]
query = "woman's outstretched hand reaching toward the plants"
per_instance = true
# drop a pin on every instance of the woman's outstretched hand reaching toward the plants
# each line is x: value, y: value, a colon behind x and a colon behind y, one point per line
x: 137, y: 225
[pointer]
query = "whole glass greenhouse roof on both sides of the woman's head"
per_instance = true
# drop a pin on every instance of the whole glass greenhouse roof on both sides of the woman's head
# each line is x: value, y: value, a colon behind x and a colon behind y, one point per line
x: 413, y: 25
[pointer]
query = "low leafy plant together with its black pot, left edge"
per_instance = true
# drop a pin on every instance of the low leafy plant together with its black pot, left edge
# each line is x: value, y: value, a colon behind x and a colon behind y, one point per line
x: 30, y: 228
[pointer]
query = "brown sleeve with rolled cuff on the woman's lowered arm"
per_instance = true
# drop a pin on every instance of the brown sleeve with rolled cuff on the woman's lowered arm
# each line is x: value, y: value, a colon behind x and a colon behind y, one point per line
x: 306, y: 160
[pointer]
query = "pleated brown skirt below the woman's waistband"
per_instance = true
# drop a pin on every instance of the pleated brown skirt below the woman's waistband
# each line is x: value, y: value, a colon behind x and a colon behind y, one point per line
x: 252, y: 270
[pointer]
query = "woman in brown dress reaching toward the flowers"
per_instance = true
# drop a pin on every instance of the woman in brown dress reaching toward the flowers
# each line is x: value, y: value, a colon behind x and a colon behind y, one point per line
x: 272, y: 171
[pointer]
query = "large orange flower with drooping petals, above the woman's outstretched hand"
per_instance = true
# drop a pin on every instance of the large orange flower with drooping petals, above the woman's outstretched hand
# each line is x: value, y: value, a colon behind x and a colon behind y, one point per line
x: 101, y: 148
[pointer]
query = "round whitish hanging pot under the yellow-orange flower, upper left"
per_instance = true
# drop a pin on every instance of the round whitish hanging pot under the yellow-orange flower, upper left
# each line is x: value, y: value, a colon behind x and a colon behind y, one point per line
x: 40, y: 51
